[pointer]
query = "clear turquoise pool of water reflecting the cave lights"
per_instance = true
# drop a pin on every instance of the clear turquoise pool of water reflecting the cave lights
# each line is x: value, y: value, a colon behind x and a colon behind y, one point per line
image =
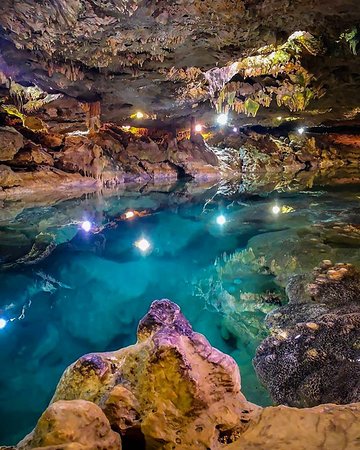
x: 222, y: 254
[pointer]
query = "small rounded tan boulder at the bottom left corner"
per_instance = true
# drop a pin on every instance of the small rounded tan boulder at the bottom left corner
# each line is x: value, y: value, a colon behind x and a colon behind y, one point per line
x: 72, y: 425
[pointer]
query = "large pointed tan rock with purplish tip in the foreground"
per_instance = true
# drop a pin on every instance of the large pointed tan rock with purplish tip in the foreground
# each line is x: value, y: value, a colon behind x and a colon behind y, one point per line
x: 185, y: 394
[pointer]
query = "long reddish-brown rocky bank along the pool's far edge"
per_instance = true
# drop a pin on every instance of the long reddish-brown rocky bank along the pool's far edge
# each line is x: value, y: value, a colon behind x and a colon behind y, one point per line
x: 44, y: 161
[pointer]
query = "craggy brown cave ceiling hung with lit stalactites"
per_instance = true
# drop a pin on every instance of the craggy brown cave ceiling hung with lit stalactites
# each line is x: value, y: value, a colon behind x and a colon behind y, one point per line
x: 260, y: 60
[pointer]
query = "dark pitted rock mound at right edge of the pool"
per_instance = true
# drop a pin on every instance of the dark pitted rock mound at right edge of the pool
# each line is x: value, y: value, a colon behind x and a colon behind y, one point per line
x: 313, y: 354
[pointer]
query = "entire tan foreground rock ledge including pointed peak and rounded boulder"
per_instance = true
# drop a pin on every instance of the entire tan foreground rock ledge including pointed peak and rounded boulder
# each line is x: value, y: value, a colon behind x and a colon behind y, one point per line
x: 172, y: 390
